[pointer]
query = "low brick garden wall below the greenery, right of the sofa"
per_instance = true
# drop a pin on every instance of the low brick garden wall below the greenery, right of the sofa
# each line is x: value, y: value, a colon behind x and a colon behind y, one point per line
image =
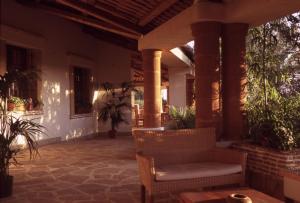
x: 264, y: 167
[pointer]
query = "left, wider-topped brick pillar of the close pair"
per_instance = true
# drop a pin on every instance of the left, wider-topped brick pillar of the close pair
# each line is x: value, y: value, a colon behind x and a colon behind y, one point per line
x: 207, y: 76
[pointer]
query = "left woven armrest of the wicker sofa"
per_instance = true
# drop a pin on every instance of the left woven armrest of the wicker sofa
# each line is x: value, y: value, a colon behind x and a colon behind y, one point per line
x: 146, y: 169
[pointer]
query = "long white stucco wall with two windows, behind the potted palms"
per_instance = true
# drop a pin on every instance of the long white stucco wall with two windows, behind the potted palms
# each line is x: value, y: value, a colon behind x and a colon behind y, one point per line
x: 56, y: 38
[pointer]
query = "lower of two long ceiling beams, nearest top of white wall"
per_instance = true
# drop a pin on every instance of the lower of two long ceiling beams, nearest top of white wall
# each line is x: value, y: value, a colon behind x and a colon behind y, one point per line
x: 88, y: 21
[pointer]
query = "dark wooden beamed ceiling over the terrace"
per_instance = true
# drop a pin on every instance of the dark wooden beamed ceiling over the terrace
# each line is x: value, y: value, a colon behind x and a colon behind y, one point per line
x: 121, y: 22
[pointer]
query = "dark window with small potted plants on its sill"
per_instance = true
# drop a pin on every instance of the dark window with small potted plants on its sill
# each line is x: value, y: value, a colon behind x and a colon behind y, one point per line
x: 23, y: 59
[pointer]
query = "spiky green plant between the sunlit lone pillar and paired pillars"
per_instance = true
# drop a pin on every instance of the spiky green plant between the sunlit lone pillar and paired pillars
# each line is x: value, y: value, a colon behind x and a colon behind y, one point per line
x: 181, y: 118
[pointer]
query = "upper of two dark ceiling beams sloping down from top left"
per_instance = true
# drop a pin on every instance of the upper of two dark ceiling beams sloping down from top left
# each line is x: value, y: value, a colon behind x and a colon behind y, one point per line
x: 92, y: 11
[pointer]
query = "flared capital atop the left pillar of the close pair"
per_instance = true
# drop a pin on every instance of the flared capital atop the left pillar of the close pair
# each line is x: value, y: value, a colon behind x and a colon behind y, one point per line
x: 206, y: 28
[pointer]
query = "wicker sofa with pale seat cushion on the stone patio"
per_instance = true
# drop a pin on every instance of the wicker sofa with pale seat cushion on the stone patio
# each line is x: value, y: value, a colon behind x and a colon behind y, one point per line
x: 172, y: 161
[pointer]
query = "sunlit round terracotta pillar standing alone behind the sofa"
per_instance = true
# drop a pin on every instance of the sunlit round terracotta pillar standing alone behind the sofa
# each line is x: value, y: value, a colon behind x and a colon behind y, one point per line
x: 152, y: 86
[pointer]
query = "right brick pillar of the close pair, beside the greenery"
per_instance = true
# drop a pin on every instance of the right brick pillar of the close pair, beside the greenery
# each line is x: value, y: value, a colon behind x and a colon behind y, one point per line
x: 234, y: 79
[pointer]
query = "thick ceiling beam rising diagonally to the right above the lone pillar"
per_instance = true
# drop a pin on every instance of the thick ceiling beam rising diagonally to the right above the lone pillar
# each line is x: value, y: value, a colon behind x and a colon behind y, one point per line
x: 165, y: 4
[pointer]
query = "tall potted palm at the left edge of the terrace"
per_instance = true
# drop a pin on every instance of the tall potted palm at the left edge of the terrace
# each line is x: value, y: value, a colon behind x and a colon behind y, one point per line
x: 11, y: 130
